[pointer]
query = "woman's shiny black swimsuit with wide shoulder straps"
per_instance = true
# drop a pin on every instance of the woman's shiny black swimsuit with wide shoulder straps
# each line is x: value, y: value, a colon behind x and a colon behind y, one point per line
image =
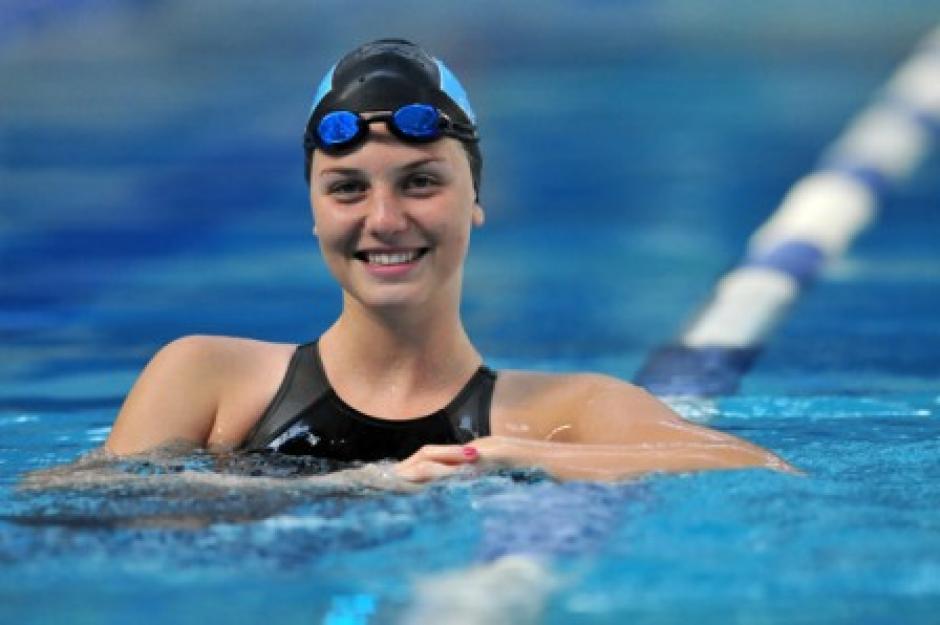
x: 307, y: 417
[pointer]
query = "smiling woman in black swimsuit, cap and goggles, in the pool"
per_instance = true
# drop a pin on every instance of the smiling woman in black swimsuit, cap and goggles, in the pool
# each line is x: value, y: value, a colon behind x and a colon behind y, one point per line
x: 393, y: 166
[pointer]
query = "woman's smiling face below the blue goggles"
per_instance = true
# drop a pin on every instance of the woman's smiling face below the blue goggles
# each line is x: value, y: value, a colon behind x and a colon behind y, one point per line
x: 393, y: 219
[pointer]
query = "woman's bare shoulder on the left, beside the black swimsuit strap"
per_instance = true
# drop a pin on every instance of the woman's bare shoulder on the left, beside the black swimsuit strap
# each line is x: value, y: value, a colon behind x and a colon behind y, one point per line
x: 204, y: 389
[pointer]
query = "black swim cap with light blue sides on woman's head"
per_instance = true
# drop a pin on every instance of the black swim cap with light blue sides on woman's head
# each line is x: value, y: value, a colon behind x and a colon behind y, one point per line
x: 385, y: 75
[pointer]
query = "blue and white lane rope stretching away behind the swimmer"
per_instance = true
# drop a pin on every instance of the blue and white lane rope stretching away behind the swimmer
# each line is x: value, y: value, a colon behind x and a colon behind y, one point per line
x: 817, y: 220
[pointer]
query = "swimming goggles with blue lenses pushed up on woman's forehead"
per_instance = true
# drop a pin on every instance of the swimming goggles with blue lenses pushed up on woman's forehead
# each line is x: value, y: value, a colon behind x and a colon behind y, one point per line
x: 413, y: 123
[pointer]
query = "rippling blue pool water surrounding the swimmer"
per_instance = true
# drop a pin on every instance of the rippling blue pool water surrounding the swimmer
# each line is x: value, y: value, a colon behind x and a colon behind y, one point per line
x: 150, y: 187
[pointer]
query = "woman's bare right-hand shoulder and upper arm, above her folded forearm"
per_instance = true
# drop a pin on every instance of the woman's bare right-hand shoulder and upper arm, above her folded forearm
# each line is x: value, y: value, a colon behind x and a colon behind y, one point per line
x: 563, y: 407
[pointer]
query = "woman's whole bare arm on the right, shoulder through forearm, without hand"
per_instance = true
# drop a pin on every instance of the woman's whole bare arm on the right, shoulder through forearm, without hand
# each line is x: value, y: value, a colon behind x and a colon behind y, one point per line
x: 600, y: 428
